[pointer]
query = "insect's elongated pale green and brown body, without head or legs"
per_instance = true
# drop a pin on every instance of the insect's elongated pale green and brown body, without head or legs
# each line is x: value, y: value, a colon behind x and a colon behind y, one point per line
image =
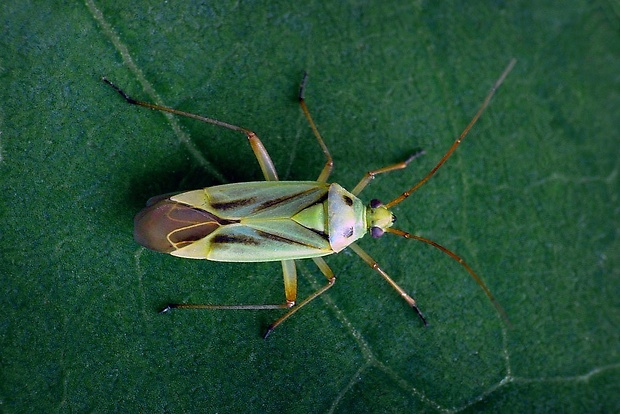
x: 255, y: 221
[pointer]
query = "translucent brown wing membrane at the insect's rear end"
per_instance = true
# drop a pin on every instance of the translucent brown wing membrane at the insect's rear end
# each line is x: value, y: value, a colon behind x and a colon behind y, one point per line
x: 167, y: 225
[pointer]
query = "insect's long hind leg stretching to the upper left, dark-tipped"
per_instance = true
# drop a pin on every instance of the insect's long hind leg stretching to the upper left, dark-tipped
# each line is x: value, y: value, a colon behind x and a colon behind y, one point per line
x: 264, y: 160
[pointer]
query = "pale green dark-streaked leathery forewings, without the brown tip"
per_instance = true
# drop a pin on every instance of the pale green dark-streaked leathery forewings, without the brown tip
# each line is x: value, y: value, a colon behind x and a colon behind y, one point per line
x: 262, y: 221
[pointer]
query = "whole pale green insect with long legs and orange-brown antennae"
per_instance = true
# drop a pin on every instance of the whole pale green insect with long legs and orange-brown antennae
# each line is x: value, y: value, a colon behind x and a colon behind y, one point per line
x: 282, y: 221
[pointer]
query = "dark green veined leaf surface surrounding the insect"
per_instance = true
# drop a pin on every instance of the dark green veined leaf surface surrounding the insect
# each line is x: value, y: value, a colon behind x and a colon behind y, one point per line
x: 530, y: 200
